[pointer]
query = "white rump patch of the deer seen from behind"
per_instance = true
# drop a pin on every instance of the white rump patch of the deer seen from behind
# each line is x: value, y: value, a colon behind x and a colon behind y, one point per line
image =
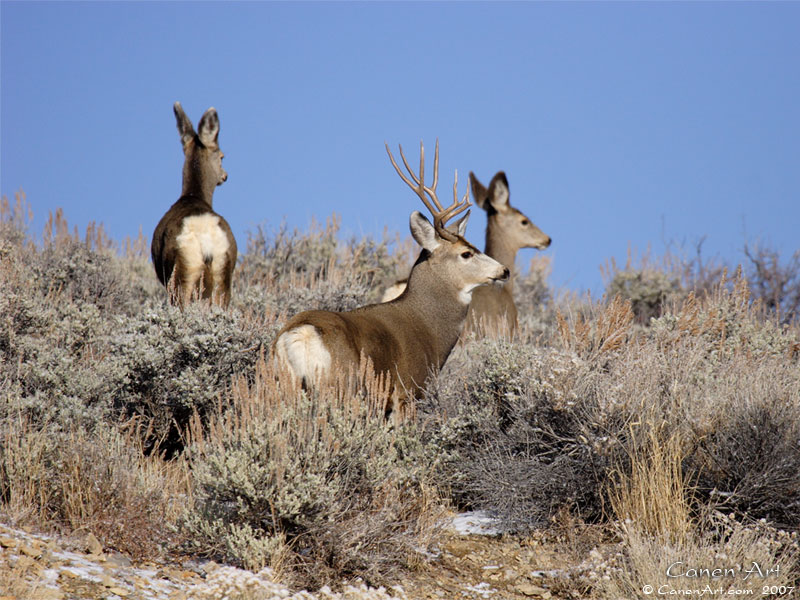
x: 203, y: 241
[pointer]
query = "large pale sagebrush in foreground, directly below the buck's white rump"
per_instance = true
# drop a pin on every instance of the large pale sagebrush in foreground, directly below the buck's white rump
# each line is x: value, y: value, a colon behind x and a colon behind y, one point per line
x: 315, y: 486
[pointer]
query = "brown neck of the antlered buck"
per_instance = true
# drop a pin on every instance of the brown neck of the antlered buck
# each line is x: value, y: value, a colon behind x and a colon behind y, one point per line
x: 437, y: 307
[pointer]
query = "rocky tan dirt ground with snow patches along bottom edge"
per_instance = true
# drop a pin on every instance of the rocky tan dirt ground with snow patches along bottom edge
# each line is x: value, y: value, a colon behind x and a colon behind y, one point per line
x: 465, y: 567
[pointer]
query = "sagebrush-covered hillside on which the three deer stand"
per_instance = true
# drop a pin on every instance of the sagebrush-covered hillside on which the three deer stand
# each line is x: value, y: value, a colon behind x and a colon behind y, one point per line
x: 643, y: 439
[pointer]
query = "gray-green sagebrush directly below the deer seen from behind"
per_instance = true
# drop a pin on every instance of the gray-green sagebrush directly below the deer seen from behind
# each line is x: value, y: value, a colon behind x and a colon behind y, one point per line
x: 175, y: 363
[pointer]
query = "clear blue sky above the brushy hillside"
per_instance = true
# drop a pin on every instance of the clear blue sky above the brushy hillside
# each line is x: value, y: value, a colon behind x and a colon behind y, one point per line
x: 618, y: 124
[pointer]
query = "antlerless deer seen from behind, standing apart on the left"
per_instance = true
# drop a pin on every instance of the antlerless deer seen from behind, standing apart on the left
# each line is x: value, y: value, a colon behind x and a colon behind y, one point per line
x: 193, y: 247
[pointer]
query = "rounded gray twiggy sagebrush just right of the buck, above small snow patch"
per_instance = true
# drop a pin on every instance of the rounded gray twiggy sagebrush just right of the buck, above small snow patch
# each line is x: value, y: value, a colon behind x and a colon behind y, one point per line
x: 509, y: 434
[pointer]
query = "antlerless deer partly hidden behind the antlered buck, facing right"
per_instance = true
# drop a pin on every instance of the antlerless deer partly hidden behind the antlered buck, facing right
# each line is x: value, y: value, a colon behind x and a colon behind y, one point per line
x: 507, y: 231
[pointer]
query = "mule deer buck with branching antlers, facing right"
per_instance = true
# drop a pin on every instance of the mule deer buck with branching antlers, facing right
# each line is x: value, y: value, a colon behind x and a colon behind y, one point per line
x: 413, y: 334
